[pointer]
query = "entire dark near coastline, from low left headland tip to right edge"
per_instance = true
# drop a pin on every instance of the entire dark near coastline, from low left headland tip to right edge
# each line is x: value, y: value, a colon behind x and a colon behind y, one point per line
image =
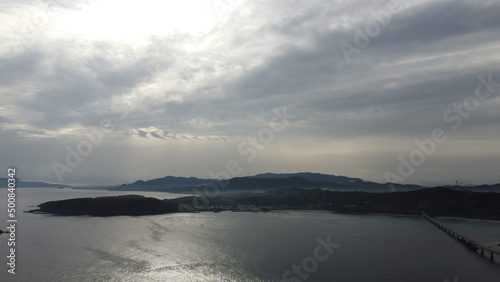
x: 434, y: 201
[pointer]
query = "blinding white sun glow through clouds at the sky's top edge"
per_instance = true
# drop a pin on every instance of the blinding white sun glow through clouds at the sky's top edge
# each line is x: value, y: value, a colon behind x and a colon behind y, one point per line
x: 139, y: 20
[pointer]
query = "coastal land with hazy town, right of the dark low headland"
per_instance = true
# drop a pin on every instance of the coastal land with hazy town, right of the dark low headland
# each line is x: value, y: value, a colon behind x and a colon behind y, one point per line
x: 434, y: 201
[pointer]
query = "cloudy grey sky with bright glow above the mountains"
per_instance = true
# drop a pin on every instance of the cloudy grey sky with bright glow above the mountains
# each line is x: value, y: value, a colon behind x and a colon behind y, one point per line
x: 107, y: 91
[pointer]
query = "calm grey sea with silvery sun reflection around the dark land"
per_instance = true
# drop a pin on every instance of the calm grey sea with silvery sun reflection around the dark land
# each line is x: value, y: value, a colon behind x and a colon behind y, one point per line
x: 235, y: 246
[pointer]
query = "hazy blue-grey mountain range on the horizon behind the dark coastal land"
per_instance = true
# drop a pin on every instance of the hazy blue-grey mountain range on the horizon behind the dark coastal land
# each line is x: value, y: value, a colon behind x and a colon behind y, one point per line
x: 273, y: 181
